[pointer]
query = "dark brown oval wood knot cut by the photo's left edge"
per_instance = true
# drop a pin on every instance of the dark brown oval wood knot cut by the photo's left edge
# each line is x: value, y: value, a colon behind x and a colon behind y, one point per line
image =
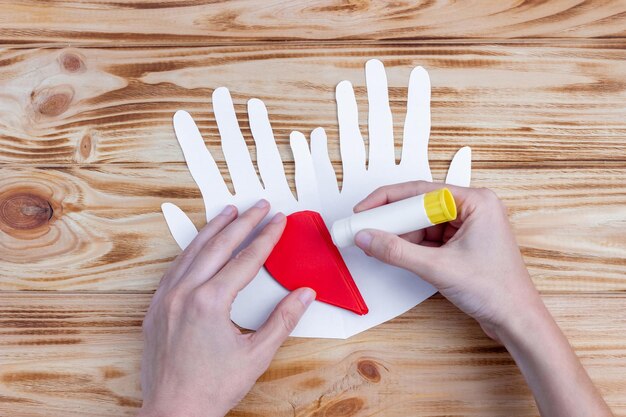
x: 25, y: 211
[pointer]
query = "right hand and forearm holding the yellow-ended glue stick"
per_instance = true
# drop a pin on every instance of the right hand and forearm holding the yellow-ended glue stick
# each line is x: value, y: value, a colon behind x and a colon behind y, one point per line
x: 475, y: 263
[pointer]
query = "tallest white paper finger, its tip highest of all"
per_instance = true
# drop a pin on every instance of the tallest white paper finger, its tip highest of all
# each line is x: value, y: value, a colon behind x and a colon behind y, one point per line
x: 380, y: 120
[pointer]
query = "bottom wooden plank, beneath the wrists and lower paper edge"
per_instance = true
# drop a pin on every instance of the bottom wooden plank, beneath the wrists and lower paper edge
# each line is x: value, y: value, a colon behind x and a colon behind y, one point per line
x: 69, y: 355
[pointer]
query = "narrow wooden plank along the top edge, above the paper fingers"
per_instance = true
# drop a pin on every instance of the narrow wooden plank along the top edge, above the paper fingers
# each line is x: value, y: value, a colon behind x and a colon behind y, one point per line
x: 205, y: 21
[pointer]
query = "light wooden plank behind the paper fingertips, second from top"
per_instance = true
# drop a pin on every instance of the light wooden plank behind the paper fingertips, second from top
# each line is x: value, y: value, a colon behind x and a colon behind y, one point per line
x: 514, y: 102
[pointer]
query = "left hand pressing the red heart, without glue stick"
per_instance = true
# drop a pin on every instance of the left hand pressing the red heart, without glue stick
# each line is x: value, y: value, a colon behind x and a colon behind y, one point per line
x: 195, y: 361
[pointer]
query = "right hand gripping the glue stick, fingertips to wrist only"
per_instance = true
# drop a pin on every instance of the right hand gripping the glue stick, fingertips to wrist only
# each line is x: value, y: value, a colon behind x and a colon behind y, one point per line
x: 474, y: 261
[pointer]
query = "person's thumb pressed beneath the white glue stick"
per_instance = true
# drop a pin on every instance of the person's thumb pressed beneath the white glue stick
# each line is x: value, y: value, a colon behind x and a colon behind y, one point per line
x: 394, y: 250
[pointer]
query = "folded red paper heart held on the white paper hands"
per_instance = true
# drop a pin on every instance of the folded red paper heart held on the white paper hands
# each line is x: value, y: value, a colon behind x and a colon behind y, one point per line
x: 305, y: 256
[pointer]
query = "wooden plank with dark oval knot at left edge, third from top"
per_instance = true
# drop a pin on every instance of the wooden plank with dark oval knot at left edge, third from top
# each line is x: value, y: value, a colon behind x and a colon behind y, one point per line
x: 100, y: 228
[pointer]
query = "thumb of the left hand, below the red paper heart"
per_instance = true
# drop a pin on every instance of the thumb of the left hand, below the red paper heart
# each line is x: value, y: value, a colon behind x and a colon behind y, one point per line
x: 284, y: 319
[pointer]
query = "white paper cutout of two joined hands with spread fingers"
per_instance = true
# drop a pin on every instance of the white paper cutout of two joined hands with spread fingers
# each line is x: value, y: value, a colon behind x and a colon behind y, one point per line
x: 388, y: 291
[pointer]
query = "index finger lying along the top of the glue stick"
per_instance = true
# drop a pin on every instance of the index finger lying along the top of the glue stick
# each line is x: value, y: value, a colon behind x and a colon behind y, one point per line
x: 390, y: 193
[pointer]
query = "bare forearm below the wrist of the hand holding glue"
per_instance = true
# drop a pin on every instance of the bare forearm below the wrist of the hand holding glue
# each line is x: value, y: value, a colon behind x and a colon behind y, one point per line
x: 556, y: 377
